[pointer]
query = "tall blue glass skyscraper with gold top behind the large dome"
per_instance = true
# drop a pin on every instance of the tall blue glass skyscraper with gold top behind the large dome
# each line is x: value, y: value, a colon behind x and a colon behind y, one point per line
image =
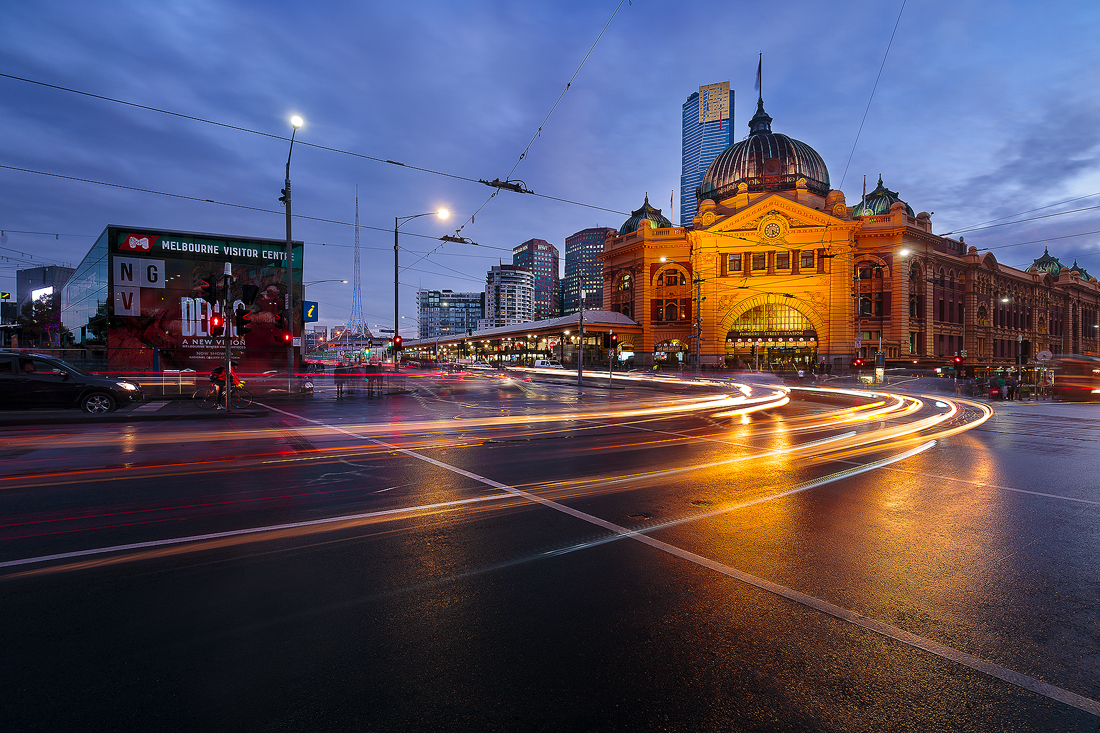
x: 706, y: 135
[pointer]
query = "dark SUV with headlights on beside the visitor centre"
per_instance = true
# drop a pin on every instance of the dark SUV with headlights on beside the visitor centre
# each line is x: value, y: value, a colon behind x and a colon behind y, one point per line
x: 30, y: 380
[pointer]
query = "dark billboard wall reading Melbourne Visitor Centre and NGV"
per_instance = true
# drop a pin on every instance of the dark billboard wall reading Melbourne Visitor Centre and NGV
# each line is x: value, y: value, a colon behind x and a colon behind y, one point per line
x: 159, y: 321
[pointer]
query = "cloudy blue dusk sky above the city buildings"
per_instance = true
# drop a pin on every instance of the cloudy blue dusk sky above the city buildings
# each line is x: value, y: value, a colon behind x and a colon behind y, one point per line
x: 983, y: 114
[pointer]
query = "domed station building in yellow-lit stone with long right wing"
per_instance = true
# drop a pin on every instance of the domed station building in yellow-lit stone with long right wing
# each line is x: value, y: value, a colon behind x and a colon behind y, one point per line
x: 778, y: 271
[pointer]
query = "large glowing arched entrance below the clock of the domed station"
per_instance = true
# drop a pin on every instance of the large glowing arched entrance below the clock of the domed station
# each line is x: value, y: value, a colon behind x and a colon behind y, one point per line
x: 774, y: 336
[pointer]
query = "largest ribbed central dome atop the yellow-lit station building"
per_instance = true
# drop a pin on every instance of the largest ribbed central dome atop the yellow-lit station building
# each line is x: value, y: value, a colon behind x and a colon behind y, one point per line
x: 764, y: 161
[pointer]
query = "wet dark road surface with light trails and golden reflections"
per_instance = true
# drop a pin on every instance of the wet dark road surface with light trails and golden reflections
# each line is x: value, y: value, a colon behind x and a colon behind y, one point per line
x: 493, y: 554
